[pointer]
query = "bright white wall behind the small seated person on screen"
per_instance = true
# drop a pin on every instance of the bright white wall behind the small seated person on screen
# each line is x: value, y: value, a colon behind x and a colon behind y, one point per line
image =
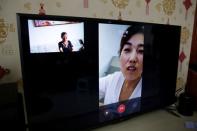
x: 45, y: 39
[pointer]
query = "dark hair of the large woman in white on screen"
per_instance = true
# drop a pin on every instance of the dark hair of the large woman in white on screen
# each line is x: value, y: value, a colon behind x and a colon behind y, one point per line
x: 129, y: 32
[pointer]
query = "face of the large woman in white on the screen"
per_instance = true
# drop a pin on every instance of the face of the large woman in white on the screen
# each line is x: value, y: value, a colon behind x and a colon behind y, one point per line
x: 131, y: 57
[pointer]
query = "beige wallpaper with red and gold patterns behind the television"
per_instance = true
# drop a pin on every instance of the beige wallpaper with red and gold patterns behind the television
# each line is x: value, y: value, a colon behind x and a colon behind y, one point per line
x: 174, y: 12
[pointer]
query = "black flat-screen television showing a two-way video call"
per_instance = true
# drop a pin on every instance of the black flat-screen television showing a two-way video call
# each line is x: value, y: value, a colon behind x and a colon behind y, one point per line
x: 82, y: 73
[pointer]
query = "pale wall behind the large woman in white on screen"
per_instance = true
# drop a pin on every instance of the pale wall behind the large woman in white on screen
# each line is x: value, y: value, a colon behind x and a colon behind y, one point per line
x: 109, y: 44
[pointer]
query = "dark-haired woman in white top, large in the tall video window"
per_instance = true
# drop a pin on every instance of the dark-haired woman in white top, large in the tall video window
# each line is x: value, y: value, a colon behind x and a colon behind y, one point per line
x: 127, y: 83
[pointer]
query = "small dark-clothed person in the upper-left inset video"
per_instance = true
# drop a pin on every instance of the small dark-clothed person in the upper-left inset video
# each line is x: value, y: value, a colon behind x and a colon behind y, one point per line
x: 65, y: 45
